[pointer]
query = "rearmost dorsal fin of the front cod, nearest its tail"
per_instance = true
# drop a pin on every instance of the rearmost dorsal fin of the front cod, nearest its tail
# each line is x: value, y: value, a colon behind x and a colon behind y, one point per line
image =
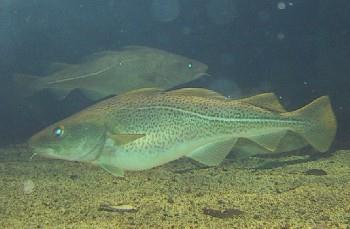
x: 267, y: 101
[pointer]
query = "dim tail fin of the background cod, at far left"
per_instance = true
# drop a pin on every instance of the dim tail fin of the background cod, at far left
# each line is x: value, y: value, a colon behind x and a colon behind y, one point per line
x: 25, y: 84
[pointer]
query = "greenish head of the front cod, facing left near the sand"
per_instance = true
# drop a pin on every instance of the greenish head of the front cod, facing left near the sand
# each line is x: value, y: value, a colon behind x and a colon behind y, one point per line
x: 71, y: 139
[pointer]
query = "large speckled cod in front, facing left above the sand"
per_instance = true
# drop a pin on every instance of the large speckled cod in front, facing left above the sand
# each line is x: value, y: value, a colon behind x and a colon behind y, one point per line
x: 145, y: 128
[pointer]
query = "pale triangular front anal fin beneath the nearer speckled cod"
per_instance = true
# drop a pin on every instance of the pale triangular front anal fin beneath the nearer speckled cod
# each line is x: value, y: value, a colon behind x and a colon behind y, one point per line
x: 213, y: 153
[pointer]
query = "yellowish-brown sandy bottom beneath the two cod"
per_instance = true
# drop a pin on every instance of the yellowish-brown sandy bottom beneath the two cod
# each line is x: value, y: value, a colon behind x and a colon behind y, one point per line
x: 289, y: 191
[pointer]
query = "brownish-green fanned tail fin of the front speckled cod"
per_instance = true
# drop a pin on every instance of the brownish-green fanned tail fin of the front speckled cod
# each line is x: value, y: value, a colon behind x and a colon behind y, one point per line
x: 323, y: 125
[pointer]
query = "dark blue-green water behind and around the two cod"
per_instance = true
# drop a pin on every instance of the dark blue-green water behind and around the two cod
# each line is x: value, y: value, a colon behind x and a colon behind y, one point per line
x: 299, y: 49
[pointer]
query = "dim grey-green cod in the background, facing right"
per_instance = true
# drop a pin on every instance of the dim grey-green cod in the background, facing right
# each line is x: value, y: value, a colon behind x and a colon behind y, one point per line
x: 114, y: 72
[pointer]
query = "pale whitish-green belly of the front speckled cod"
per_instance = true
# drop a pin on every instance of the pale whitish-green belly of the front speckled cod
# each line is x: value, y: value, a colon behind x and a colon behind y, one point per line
x: 135, y: 157
